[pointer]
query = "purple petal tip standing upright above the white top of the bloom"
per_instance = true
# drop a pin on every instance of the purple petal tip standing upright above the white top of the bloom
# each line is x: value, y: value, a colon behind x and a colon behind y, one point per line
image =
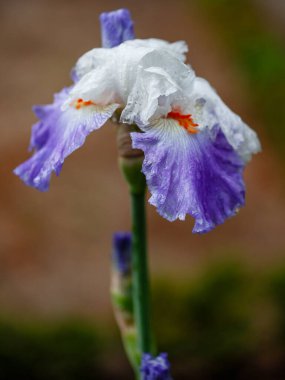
x: 116, y: 27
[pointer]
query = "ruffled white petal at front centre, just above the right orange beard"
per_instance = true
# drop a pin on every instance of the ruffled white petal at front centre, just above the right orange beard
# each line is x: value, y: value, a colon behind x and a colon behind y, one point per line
x: 162, y: 82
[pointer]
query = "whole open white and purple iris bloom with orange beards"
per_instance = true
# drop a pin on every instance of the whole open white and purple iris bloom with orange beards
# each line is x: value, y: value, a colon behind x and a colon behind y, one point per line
x: 195, y: 148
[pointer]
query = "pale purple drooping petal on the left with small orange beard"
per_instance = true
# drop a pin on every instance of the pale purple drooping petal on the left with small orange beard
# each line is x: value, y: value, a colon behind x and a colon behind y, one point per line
x: 57, y: 135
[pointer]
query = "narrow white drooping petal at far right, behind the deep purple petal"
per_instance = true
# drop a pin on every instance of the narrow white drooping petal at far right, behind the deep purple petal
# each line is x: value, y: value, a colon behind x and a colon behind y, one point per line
x: 241, y: 137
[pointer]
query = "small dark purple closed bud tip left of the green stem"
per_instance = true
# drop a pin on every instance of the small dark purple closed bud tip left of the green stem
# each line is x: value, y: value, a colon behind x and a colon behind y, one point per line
x: 122, y: 246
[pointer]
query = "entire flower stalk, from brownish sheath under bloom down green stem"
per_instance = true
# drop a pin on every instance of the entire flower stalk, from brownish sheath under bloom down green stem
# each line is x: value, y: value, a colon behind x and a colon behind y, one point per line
x: 130, y: 162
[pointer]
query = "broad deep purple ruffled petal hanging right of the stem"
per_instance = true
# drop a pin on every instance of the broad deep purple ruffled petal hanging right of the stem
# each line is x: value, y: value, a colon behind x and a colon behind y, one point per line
x: 198, y: 174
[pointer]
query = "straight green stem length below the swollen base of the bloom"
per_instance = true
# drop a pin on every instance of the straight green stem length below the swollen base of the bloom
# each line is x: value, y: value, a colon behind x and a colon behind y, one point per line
x: 140, y: 273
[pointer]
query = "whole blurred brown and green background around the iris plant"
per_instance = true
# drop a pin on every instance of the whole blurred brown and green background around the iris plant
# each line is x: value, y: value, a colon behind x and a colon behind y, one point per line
x: 218, y: 299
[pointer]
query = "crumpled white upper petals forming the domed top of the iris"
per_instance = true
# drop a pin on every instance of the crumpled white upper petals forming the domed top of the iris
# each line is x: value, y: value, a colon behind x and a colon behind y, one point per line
x: 146, y: 76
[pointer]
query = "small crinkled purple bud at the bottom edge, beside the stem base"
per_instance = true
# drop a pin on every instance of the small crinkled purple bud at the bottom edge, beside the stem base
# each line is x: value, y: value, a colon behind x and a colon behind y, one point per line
x: 155, y: 368
